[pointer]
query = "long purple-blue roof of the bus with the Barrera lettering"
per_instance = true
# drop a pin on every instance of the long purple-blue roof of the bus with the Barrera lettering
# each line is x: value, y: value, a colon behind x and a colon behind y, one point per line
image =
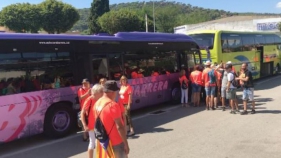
x: 121, y: 36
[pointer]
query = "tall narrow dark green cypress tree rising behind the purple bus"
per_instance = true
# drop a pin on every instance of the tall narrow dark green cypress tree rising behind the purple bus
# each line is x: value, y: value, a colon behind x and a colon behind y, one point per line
x: 98, y: 8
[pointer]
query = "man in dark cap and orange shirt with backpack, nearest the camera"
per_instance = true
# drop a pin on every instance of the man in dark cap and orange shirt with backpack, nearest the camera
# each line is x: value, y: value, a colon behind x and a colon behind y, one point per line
x: 109, y: 126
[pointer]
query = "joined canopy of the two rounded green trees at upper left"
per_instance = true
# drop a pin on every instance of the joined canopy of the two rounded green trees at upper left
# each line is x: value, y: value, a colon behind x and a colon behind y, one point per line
x: 51, y: 15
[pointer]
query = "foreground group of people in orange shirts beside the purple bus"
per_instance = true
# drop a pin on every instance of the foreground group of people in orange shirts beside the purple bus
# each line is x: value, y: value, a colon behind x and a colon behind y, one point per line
x: 99, y: 102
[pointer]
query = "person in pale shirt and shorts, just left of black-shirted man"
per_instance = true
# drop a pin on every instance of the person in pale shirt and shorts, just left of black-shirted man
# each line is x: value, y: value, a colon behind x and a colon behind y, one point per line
x: 231, y: 87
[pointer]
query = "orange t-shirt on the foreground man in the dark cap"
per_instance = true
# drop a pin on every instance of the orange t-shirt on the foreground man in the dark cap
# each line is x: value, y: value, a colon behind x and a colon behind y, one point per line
x: 108, y: 112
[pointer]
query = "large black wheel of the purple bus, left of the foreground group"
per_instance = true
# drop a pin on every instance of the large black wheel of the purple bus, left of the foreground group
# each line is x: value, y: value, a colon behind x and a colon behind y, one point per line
x: 59, y: 120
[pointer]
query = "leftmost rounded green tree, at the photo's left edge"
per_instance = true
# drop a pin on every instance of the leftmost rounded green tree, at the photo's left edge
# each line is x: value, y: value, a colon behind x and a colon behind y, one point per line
x: 21, y: 17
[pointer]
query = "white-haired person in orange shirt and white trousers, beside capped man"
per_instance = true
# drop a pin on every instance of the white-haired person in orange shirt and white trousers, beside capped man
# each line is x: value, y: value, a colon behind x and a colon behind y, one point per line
x: 89, y: 122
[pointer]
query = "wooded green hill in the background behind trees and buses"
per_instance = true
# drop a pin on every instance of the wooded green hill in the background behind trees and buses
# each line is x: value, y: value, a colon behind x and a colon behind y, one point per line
x: 179, y: 13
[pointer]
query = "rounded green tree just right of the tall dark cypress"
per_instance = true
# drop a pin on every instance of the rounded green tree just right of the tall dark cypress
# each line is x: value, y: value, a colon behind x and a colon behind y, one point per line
x: 122, y: 20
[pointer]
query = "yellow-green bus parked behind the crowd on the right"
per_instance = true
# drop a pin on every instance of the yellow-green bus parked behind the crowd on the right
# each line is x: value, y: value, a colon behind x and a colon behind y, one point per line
x: 261, y: 50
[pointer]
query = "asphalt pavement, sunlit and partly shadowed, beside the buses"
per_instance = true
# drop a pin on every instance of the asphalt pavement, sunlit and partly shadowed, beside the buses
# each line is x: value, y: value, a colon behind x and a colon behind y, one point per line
x: 177, y: 132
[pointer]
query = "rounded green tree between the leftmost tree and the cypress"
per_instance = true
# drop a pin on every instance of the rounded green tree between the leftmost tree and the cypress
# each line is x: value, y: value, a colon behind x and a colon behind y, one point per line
x: 58, y: 17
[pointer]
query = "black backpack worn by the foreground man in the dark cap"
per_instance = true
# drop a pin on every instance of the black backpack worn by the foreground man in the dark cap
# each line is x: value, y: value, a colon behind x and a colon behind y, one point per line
x: 100, y: 131
